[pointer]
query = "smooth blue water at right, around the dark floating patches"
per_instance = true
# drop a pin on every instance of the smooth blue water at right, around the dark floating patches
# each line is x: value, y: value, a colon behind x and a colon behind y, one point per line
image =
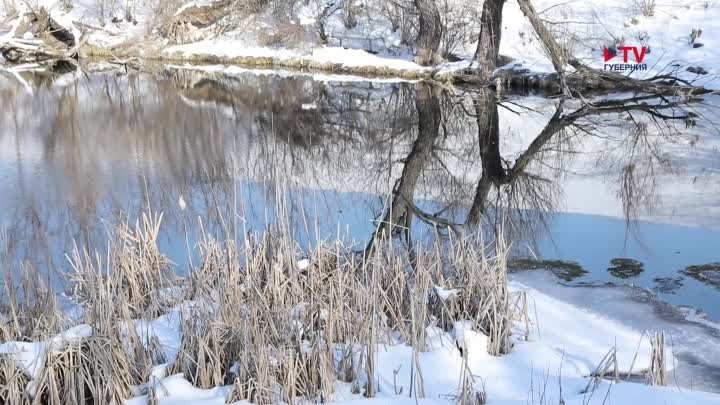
x: 663, y: 249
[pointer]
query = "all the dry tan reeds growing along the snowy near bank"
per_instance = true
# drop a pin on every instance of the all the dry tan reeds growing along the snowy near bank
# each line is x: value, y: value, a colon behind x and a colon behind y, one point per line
x: 272, y: 329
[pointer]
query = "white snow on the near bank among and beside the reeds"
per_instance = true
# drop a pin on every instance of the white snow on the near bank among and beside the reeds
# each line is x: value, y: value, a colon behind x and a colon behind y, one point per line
x: 550, y: 363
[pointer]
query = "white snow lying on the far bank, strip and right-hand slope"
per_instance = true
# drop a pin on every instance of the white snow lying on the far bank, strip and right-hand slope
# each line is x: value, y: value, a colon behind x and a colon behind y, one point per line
x: 592, y: 27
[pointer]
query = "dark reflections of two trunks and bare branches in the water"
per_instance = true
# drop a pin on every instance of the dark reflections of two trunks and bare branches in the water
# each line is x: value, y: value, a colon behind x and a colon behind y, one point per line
x: 514, y: 195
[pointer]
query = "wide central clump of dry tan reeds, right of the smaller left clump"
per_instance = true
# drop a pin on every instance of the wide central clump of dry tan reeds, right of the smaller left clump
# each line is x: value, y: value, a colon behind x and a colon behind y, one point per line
x: 282, y: 333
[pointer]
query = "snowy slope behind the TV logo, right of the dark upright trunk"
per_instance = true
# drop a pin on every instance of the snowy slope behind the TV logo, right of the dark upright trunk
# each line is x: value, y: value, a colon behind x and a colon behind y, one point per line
x: 595, y: 25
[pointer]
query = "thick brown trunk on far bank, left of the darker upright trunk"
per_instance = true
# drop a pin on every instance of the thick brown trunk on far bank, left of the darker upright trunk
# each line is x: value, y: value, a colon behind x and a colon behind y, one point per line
x: 429, y: 33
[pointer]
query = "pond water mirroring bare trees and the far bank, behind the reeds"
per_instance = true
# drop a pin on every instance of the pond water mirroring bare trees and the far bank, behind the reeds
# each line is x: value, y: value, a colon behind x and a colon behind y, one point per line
x: 359, y: 159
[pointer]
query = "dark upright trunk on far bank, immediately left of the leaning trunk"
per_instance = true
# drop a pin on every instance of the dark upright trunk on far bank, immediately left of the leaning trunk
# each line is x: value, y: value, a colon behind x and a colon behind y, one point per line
x: 489, y: 39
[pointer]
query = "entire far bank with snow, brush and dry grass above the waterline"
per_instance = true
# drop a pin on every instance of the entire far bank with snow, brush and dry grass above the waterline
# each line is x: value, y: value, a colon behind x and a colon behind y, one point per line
x: 374, y: 49
